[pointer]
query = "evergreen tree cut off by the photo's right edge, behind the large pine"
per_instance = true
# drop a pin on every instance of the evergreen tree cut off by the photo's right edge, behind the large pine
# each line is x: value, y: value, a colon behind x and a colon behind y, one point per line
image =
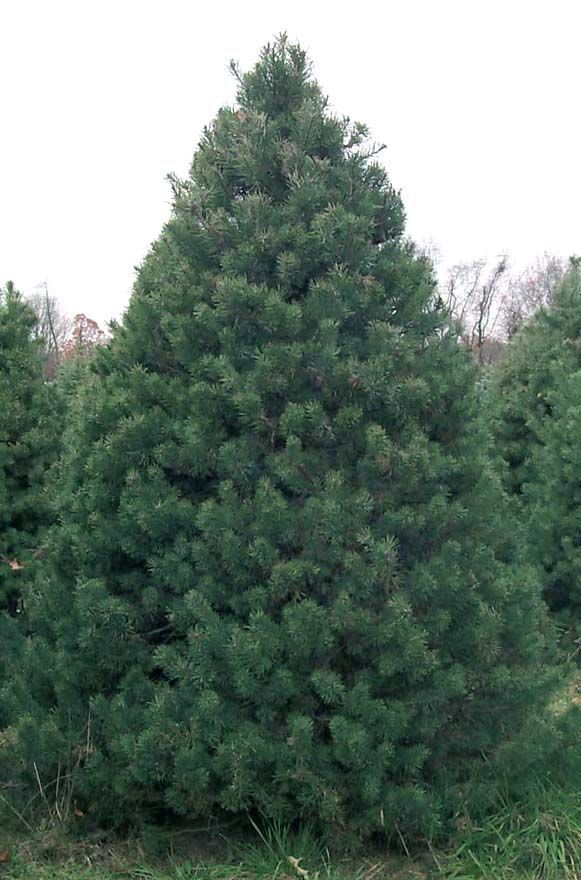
x: 536, y: 402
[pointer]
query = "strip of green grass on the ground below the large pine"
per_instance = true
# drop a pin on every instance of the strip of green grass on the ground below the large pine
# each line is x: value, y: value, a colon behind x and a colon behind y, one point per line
x: 536, y: 840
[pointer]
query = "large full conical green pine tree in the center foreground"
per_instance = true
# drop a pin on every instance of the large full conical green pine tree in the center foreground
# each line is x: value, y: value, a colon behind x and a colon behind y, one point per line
x: 277, y: 585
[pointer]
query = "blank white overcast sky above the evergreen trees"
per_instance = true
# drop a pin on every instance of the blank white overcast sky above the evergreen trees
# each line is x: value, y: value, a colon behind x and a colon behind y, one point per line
x: 477, y: 100
